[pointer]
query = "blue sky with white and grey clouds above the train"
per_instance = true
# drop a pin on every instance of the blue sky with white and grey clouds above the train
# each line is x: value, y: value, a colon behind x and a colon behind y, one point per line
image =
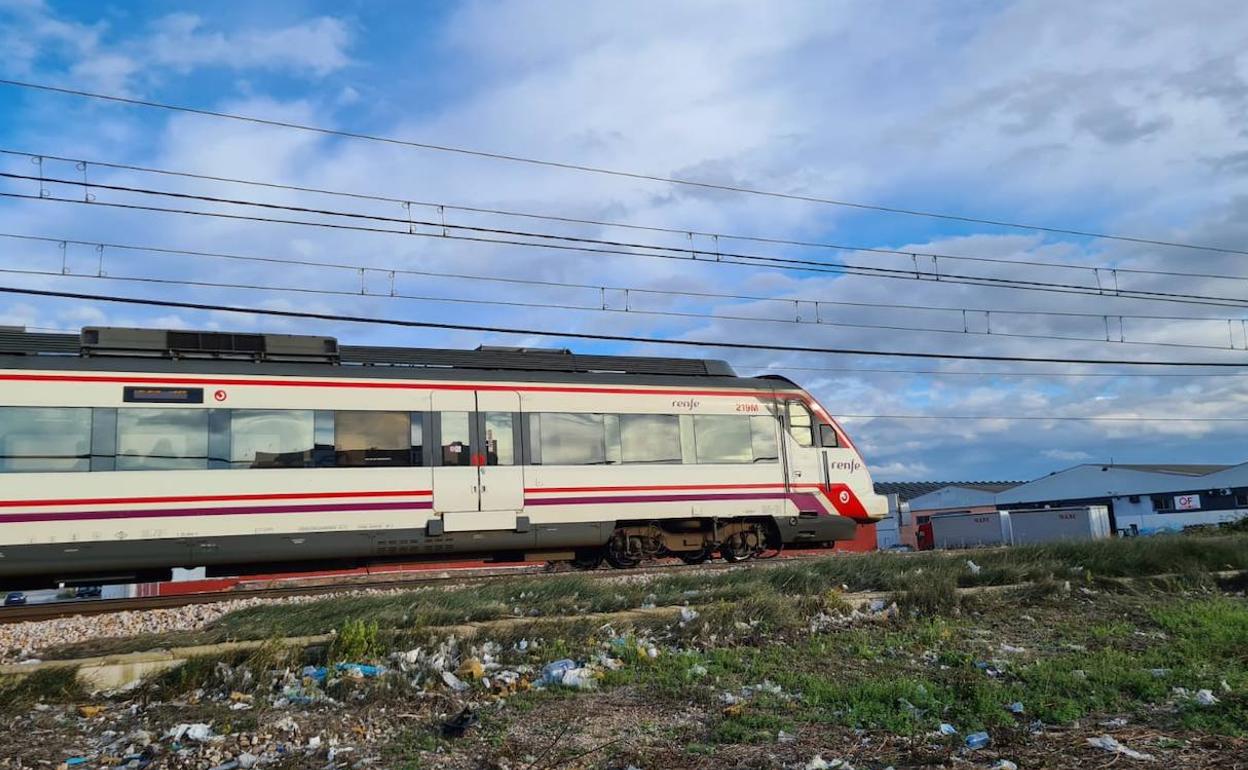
x: 1121, y: 119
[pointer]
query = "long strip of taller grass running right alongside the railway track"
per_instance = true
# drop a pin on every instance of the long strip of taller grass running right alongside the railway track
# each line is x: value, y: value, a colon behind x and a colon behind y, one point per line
x: 923, y: 582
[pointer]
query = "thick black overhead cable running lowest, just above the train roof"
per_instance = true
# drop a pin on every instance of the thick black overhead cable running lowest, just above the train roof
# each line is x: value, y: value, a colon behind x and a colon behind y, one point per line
x: 601, y: 338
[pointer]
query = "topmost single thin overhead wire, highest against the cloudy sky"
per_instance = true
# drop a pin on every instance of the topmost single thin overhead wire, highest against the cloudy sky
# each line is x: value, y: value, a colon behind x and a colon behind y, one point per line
x: 633, y: 175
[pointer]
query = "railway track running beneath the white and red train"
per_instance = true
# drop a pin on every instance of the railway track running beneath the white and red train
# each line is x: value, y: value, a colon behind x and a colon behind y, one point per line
x: 99, y: 607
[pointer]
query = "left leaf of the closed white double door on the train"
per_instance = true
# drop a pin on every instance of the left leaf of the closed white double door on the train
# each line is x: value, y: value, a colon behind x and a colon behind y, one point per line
x: 456, y: 480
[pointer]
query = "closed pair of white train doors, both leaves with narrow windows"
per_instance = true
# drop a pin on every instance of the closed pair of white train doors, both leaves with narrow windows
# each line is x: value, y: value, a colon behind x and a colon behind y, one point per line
x: 479, y: 484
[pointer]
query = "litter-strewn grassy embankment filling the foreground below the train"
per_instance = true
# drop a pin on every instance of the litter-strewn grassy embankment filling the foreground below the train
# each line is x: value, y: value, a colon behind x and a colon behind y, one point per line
x: 792, y: 666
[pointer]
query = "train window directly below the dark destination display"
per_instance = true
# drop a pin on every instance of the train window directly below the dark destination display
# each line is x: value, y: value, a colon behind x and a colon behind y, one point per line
x: 163, y: 440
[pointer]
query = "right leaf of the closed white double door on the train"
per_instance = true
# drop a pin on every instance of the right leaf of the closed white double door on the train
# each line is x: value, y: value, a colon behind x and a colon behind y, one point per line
x: 502, y: 475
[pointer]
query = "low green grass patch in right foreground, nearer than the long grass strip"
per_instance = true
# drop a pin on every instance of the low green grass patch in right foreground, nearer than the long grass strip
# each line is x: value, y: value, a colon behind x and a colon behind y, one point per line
x: 914, y: 675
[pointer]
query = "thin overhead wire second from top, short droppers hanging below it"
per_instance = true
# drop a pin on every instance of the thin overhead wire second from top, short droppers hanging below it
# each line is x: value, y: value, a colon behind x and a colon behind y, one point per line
x: 685, y: 233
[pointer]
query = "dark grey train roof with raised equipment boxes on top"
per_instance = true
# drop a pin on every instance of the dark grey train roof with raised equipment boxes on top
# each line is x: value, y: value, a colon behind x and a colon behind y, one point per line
x: 130, y: 350
